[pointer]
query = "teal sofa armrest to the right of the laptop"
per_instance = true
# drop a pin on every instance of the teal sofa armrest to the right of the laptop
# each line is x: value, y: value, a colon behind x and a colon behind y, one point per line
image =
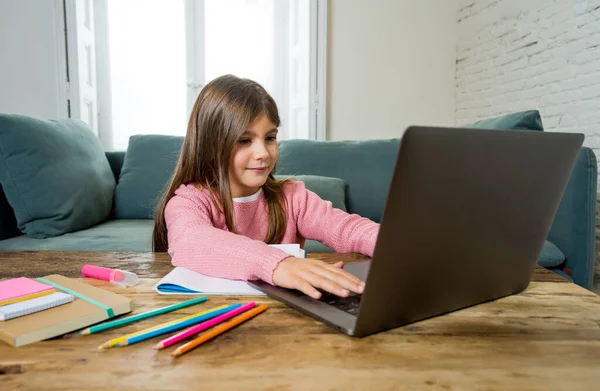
x: 573, y: 230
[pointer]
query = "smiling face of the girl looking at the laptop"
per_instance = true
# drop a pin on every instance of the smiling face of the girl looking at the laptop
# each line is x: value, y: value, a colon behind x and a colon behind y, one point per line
x: 253, y: 157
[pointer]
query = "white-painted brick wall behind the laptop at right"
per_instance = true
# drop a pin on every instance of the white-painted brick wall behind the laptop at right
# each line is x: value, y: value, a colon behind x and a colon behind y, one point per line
x: 517, y: 55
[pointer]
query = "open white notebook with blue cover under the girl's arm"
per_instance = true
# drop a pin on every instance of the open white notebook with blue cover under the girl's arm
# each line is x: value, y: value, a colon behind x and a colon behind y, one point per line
x: 182, y: 281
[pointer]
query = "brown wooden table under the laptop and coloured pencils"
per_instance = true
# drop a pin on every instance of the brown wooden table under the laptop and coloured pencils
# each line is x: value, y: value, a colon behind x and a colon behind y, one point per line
x: 545, y: 338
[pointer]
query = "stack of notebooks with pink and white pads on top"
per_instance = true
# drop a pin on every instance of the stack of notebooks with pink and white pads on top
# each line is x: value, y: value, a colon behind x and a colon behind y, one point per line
x: 36, y: 309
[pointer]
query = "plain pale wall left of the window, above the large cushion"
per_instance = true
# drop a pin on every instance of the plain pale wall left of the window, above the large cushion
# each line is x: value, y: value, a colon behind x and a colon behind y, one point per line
x: 29, y: 76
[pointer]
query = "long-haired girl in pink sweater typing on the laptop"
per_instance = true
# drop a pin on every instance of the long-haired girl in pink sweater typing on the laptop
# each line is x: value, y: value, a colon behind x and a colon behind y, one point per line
x: 223, y: 205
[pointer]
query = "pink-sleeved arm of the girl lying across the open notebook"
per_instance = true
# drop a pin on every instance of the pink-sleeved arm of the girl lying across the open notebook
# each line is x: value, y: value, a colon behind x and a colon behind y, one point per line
x: 196, y: 245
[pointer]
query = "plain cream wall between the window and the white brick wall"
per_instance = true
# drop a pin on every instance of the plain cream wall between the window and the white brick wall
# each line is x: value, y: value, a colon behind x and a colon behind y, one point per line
x: 390, y: 64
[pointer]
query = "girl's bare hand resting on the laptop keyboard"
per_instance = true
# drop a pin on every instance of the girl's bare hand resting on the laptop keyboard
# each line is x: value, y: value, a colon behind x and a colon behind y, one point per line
x: 308, y: 274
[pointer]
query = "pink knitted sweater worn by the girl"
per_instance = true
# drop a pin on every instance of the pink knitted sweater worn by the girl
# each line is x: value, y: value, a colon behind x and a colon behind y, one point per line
x: 200, y: 240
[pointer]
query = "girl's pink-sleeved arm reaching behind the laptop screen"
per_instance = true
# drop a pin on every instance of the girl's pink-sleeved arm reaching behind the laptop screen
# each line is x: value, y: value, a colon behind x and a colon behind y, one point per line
x: 343, y: 232
